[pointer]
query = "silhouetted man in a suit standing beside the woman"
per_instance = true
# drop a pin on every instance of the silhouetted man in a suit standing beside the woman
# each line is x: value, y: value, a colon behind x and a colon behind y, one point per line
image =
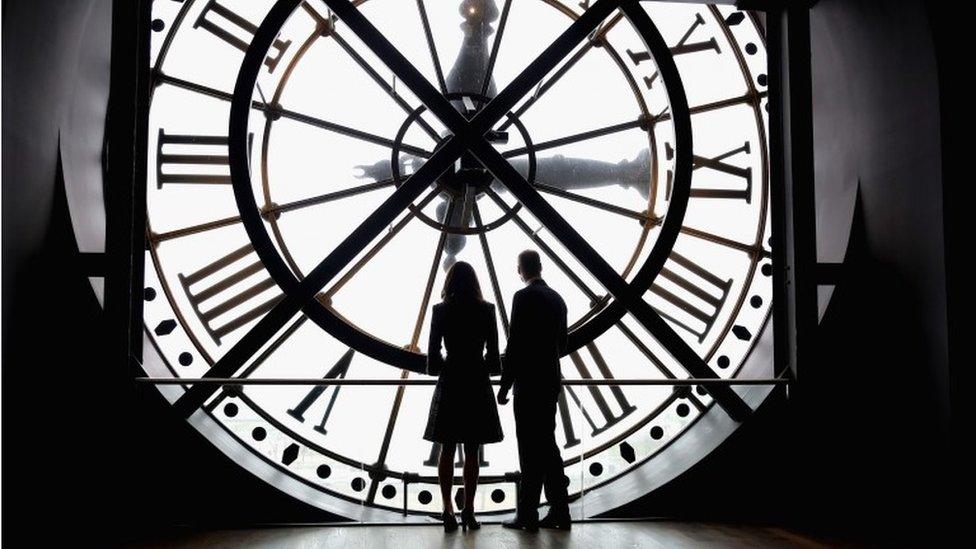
x: 537, y: 339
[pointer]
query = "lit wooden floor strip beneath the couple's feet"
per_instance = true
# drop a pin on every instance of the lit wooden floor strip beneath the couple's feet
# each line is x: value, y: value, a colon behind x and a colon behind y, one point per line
x: 601, y: 535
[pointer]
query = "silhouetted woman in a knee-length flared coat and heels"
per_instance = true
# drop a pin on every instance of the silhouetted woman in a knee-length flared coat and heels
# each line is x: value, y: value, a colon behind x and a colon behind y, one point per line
x: 463, y: 409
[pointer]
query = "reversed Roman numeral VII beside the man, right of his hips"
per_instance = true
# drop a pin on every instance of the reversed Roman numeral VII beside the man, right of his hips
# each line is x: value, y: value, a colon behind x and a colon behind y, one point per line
x: 606, y: 415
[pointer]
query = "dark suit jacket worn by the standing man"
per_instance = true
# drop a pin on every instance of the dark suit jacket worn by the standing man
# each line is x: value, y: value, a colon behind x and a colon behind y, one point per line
x: 537, y: 339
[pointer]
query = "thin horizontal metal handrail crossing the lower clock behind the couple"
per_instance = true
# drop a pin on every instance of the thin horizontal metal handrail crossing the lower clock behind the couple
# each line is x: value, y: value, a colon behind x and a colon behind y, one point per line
x: 401, y: 382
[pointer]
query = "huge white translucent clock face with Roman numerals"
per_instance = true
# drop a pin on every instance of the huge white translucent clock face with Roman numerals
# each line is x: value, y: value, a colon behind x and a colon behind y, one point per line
x: 329, y: 134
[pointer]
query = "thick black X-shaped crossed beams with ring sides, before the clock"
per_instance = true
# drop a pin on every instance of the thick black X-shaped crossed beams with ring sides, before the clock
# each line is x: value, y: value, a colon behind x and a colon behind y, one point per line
x: 466, y: 136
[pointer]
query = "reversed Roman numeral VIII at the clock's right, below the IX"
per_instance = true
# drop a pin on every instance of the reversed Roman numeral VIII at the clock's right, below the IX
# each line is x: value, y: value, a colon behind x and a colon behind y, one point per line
x: 700, y: 295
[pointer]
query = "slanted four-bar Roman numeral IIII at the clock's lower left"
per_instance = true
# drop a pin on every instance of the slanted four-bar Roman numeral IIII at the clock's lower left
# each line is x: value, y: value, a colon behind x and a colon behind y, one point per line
x: 221, y: 295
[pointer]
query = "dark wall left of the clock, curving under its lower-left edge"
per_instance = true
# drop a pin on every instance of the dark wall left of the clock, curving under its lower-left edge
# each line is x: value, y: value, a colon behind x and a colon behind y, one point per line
x: 87, y: 455
